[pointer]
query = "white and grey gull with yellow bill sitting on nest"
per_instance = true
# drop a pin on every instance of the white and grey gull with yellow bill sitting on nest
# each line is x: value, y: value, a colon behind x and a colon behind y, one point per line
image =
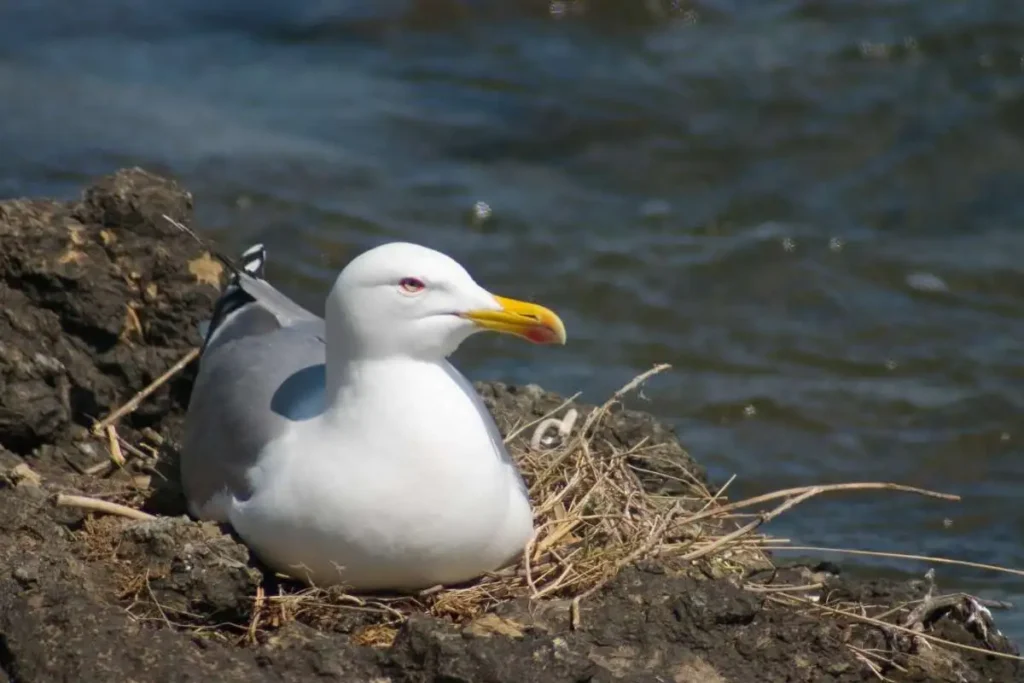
x: 348, y: 450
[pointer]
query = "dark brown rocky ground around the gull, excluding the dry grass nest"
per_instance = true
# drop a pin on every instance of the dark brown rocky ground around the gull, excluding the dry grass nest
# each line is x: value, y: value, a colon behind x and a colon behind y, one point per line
x: 99, y: 298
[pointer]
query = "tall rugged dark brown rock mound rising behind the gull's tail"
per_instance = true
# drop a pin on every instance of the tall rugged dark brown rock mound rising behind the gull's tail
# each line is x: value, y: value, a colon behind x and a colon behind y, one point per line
x: 97, y: 301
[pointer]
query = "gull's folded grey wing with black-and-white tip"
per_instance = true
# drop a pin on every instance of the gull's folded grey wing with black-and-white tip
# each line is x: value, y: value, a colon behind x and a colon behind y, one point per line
x: 262, y: 371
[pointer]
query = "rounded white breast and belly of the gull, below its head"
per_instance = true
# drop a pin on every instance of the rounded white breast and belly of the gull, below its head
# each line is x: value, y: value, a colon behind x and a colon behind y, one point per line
x: 408, y: 488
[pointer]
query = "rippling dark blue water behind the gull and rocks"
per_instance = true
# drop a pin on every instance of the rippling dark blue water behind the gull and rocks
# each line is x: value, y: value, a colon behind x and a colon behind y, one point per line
x: 813, y: 209
